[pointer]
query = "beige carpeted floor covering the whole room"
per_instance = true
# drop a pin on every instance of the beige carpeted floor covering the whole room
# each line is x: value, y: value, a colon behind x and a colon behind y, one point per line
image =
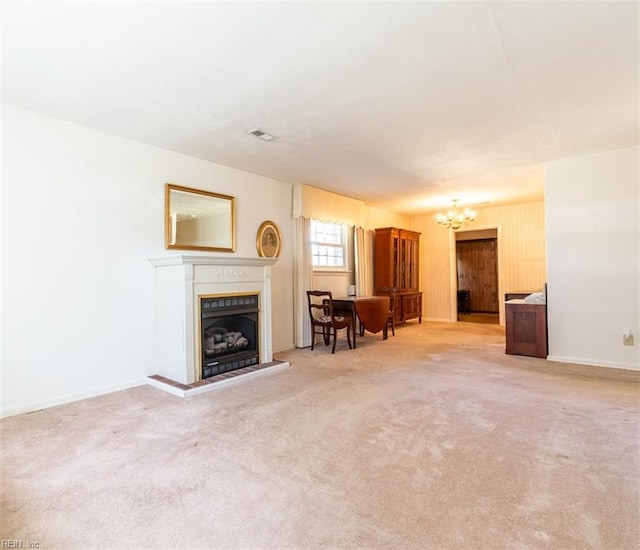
x: 432, y: 439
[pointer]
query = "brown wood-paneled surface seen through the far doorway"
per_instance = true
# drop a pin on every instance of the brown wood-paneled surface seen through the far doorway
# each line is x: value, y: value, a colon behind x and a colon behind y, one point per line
x: 477, y: 263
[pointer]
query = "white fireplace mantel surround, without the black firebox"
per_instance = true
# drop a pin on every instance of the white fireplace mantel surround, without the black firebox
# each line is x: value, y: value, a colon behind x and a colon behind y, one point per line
x: 180, y: 281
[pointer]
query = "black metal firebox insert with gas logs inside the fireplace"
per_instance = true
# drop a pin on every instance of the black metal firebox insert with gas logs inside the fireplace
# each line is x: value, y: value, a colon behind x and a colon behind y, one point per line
x: 229, y: 333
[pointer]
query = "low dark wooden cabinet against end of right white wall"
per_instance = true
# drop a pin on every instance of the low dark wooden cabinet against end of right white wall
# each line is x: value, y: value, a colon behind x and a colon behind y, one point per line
x: 526, y: 328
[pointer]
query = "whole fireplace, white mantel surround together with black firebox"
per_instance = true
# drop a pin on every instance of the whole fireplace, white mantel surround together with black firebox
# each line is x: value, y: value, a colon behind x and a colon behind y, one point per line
x: 212, y: 294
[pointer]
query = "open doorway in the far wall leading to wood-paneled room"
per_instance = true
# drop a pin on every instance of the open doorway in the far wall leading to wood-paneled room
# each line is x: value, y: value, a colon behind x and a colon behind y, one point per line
x: 477, y: 276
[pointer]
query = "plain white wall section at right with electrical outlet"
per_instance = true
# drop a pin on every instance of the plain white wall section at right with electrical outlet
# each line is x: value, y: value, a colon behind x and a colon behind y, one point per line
x: 593, y: 249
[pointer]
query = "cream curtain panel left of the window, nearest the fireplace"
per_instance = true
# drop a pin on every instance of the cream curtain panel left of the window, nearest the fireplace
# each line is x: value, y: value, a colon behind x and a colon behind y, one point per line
x: 302, y: 281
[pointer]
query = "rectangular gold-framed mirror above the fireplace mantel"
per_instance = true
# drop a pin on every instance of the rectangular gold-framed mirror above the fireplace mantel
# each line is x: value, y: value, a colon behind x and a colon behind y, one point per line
x: 199, y: 220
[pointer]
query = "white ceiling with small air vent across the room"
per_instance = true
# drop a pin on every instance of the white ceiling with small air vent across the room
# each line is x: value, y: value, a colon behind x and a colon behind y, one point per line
x: 404, y: 105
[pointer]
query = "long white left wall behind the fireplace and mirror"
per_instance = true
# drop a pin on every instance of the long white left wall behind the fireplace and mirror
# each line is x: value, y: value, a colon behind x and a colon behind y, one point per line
x: 83, y: 211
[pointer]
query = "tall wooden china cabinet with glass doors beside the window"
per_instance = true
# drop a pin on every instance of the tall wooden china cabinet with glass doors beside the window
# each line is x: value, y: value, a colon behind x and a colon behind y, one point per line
x: 397, y: 253
